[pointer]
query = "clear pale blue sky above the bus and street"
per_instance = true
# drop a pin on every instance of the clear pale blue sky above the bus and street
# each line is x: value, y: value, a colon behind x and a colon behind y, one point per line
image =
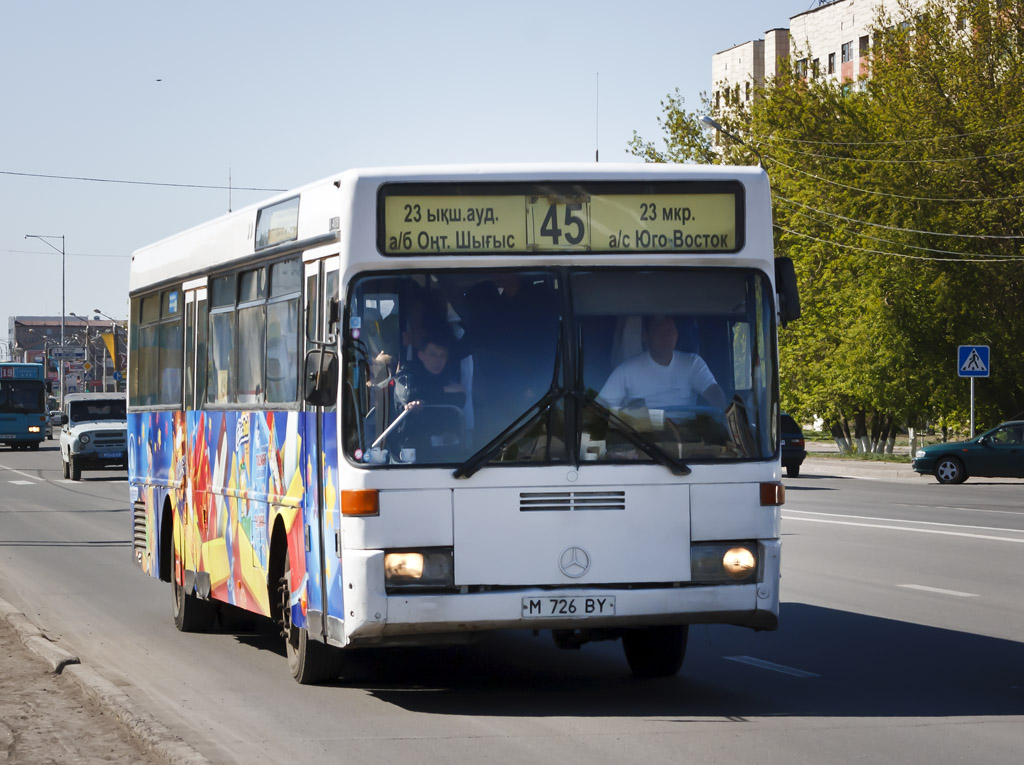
x: 272, y: 96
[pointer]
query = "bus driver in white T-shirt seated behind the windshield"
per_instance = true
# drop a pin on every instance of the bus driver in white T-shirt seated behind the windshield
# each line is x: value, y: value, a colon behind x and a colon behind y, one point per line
x: 661, y: 377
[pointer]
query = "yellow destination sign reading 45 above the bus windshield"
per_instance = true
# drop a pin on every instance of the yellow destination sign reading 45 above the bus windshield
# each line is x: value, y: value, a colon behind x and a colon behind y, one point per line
x: 441, y: 220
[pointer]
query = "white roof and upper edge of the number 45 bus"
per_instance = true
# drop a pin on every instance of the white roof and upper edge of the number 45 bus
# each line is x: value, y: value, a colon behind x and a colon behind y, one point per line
x: 333, y: 208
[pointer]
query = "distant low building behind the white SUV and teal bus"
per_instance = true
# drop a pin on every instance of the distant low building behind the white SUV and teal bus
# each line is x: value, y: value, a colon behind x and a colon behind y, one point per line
x: 96, y: 351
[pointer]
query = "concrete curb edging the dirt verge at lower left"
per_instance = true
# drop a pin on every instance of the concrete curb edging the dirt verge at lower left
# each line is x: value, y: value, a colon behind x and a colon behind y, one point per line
x: 151, y: 734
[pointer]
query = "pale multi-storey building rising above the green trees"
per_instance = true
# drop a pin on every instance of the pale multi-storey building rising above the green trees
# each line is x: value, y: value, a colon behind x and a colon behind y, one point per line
x: 832, y: 40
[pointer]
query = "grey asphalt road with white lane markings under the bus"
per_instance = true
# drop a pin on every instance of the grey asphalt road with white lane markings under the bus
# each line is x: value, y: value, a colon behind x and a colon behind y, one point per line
x: 902, y: 640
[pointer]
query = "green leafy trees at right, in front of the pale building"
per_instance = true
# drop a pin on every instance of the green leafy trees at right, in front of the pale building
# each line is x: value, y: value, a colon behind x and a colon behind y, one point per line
x: 900, y: 200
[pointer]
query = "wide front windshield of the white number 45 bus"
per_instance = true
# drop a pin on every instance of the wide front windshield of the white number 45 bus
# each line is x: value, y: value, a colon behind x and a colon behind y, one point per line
x: 560, y: 366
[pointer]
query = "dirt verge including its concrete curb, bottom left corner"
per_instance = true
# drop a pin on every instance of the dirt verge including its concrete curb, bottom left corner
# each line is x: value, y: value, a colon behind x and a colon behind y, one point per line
x: 56, y: 710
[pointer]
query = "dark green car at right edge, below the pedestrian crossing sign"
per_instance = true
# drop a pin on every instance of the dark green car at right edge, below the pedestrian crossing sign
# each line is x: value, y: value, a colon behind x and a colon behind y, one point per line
x: 996, y: 454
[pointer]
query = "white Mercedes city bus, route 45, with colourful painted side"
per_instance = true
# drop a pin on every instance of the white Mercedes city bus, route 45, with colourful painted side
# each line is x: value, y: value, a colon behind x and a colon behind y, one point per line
x: 378, y: 410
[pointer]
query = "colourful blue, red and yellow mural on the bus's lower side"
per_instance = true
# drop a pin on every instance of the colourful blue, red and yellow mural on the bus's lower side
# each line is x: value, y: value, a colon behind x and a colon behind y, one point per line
x: 233, y: 481
